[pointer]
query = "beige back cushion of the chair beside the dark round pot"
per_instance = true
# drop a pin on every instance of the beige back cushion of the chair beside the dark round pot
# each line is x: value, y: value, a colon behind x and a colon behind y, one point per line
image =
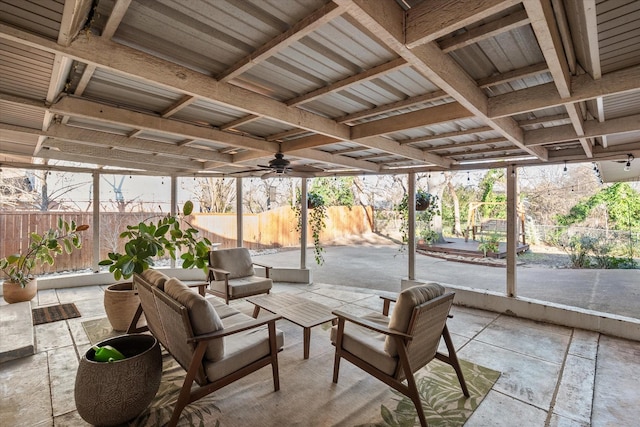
x: 204, y: 318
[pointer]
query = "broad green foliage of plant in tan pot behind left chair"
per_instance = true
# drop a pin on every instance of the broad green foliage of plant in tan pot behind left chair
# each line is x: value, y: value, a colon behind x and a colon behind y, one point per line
x: 152, y: 239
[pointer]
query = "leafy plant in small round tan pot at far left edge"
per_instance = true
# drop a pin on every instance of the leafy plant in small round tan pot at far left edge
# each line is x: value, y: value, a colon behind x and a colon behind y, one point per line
x: 21, y: 284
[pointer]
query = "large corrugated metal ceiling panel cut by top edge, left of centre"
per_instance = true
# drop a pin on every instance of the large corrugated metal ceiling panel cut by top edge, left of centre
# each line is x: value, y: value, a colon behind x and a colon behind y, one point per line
x: 208, y: 36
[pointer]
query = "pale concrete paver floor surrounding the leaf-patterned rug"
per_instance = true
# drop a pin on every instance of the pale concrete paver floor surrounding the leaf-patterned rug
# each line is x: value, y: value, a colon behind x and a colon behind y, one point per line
x: 551, y: 375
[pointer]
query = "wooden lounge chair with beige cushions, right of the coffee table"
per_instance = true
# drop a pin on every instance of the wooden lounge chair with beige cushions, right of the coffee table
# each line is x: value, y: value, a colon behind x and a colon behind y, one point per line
x: 393, y: 349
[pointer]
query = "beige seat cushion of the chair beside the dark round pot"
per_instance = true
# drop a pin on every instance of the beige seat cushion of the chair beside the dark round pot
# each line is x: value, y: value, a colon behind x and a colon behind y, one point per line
x: 242, y: 349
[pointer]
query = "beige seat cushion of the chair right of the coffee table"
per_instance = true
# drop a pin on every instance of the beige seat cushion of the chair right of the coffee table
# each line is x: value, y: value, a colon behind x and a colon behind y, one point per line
x: 367, y: 344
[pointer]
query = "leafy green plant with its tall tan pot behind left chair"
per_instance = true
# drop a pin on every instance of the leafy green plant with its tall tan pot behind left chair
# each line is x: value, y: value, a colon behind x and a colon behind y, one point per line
x: 148, y: 240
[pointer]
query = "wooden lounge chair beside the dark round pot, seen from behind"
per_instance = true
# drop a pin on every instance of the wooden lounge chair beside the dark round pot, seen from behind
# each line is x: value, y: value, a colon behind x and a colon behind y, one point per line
x: 196, y: 330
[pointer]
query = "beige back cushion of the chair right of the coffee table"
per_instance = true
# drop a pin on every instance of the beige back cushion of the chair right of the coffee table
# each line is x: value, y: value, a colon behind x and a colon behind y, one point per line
x: 407, y: 300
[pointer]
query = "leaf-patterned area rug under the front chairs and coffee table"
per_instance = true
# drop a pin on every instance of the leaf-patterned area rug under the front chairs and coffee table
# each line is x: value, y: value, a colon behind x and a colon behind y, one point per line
x: 308, y: 397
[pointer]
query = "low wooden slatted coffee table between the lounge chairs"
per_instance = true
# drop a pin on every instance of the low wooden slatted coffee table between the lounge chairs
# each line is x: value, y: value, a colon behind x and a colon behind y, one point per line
x: 297, y: 310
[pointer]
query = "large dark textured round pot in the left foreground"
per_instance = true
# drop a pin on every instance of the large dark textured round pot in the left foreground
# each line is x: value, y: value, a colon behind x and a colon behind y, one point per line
x: 112, y: 393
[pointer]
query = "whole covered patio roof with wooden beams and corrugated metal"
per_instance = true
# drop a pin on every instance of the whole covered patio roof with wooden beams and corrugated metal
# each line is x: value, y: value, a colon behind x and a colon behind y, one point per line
x: 339, y: 87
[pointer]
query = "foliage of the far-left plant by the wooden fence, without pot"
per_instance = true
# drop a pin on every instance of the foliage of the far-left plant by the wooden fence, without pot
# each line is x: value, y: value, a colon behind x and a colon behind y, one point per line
x: 42, y: 249
